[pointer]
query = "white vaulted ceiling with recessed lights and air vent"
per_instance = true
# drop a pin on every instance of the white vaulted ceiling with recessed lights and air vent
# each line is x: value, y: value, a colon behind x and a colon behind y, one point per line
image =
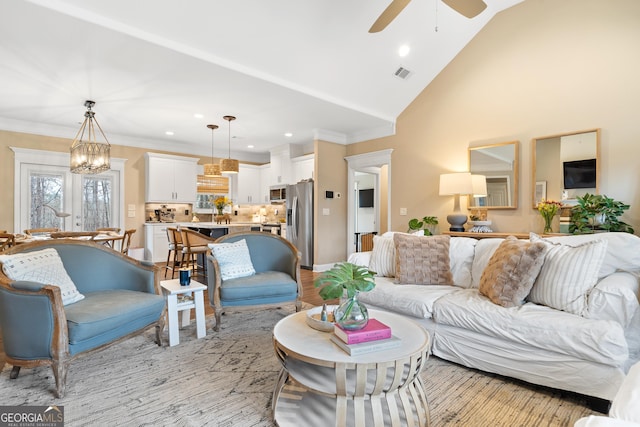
x: 306, y: 67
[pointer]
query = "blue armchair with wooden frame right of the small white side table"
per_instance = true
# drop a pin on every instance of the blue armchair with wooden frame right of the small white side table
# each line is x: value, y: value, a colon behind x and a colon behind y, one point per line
x: 277, y: 278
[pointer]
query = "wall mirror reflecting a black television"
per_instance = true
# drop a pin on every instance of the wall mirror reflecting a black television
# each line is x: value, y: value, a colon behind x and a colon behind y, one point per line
x: 565, y: 166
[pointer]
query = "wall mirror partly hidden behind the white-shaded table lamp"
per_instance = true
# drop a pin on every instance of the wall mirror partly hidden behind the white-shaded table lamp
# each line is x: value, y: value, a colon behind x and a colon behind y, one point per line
x: 499, y: 163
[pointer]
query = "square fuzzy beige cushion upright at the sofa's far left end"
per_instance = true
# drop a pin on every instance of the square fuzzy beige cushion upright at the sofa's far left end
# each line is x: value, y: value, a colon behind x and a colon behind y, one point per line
x: 422, y: 260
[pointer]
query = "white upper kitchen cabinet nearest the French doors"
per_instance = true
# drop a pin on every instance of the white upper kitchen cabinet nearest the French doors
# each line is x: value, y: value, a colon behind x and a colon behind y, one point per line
x: 171, y: 179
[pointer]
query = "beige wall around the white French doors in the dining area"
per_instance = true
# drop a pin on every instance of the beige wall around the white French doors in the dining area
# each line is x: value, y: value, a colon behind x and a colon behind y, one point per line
x: 134, y: 176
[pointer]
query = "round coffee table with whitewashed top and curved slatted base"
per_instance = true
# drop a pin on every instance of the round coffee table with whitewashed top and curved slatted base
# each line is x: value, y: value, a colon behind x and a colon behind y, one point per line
x: 321, y: 385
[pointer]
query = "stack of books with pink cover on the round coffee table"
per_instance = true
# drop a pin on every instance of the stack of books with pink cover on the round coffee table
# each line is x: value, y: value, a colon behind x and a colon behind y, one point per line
x: 376, y: 336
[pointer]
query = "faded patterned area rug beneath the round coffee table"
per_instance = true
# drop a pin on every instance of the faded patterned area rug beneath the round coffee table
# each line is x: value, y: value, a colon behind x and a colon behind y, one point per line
x: 227, y: 379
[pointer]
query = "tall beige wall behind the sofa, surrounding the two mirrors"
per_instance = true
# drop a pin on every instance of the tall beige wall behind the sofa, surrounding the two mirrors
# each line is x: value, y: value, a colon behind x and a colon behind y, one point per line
x: 539, y: 68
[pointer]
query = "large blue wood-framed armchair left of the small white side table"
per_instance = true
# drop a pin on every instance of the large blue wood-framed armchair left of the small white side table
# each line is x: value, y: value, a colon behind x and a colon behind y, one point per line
x: 121, y: 298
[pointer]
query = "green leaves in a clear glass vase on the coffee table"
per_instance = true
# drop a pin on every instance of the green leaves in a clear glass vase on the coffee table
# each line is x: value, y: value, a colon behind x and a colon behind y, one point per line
x: 346, y: 280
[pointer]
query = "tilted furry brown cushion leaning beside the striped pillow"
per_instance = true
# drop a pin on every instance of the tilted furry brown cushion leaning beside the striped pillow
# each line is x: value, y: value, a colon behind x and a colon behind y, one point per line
x: 511, y: 271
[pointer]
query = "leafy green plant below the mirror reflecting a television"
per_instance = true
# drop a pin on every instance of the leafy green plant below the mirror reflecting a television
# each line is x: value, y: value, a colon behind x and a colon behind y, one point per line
x: 598, y: 212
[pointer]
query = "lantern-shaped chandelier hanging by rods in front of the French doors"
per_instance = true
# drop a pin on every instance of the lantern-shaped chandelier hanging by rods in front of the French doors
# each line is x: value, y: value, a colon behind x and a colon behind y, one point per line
x: 89, y: 156
